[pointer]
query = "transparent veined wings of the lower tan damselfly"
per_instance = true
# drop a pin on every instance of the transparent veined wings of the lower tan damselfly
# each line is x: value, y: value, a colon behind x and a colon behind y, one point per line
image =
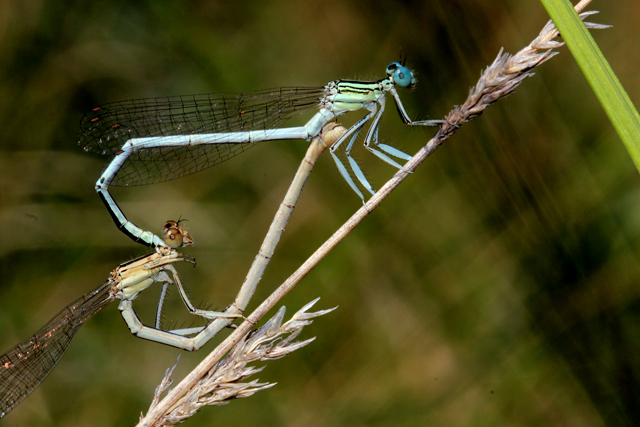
x: 26, y: 365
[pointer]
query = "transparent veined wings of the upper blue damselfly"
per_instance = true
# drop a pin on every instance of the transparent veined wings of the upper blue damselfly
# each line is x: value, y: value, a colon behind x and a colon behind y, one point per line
x: 105, y: 129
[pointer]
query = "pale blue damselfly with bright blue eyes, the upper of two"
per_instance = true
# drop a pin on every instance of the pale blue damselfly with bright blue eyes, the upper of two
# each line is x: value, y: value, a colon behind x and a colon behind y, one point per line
x: 159, y: 139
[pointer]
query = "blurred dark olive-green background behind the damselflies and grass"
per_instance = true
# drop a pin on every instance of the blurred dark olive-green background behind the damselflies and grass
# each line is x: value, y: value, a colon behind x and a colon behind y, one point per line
x: 497, y: 286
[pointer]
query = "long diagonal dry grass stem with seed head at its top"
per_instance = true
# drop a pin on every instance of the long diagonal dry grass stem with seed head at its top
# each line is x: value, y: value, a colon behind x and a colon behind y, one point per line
x: 499, y: 80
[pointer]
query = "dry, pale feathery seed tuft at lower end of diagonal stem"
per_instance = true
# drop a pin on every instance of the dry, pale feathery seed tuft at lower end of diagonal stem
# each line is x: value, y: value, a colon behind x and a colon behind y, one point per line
x: 223, y: 382
